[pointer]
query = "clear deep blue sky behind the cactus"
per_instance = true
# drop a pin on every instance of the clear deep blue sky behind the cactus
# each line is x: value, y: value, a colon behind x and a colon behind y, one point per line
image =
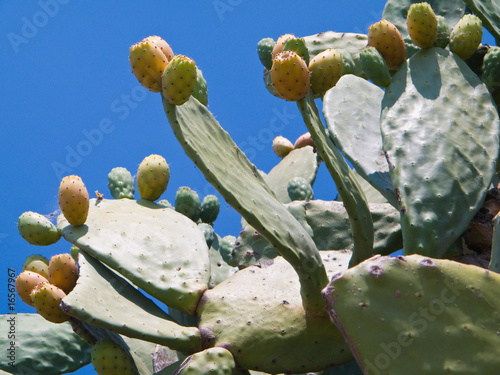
x: 64, y: 71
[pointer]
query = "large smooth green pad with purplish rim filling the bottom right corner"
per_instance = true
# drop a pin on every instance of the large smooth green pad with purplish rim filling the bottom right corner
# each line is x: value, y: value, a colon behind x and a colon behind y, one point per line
x: 393, y: 312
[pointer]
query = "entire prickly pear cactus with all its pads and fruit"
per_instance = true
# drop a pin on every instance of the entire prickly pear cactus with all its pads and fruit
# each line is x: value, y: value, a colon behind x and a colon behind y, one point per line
x: 309, y: 285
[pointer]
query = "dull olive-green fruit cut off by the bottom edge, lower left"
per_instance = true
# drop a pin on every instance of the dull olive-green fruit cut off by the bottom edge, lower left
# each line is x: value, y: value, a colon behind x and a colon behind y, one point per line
x: 109, y: 358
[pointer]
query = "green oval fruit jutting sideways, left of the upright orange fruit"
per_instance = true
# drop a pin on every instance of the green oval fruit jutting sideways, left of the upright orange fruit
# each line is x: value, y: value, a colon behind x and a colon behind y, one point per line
x: 37, y: 229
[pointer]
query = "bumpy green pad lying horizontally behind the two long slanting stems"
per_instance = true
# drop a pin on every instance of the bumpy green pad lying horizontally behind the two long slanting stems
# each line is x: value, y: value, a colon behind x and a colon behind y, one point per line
x: 328, y: 224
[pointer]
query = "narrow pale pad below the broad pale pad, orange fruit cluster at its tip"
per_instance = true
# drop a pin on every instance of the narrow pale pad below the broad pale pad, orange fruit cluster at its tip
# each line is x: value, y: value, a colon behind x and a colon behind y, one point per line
x: 105, y: 300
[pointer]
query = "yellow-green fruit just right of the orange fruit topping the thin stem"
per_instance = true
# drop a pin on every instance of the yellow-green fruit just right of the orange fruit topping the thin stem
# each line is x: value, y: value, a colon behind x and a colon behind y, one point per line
x: 326, y: 69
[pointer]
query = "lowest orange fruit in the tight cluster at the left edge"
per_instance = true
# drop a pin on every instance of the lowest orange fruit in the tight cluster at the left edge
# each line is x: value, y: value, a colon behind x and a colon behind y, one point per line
x: 46, y: 299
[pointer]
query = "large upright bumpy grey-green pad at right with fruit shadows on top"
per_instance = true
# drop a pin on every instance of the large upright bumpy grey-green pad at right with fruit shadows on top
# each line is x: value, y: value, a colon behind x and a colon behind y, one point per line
x: 441, y: 141
